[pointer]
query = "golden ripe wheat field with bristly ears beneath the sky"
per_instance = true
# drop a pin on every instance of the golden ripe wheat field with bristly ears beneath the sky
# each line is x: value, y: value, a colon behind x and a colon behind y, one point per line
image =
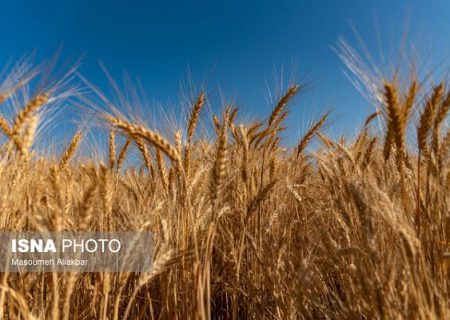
x: 244, y: 227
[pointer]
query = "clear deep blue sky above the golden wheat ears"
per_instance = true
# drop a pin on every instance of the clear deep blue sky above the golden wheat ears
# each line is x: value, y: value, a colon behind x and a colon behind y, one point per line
x: 232, y: 47
